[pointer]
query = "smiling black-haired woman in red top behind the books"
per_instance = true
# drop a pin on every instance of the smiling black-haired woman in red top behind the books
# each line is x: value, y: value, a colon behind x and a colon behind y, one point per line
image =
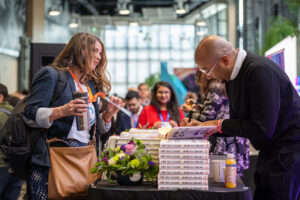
x: 164, y: 110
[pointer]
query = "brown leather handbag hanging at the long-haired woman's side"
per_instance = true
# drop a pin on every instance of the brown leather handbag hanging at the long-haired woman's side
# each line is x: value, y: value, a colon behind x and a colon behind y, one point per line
x: 69, y: 174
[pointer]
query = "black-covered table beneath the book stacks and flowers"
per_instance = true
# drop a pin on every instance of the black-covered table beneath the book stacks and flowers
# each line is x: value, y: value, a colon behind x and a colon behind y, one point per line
x: 106, y: 191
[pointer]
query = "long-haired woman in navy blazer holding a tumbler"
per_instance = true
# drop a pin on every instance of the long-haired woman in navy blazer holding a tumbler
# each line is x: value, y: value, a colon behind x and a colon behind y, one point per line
x: 83, y: 60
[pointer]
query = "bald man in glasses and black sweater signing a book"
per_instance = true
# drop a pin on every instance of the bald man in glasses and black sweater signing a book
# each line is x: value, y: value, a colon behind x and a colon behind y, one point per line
x: 264, y: 107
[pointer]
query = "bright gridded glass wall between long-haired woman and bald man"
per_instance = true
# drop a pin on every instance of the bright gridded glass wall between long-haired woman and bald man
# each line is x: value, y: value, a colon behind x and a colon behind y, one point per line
x: 134, y: 53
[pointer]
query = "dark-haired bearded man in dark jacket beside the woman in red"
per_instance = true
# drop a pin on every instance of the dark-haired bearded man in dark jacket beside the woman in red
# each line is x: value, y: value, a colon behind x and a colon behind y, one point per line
x: 134, y: 106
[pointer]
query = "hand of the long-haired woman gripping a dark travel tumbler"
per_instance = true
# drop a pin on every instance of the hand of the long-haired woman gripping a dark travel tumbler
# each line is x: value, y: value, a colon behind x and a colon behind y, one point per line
x: 76, y: 107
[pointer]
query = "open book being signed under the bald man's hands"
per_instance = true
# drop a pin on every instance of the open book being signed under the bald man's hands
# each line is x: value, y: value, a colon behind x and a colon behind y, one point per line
x: 189, y: 132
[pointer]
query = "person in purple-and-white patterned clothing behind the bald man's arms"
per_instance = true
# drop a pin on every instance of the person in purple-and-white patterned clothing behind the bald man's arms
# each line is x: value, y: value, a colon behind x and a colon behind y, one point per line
x: 216, y: 106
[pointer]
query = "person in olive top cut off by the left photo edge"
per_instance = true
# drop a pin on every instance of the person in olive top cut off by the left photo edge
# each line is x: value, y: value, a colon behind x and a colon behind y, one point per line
x: 10, y: 185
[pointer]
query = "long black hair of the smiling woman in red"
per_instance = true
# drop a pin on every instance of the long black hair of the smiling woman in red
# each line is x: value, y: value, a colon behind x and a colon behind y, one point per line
x: 172, y: 105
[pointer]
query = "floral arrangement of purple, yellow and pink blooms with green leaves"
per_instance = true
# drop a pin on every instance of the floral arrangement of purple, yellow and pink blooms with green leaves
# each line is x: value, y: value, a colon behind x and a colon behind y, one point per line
x: 128, y: 159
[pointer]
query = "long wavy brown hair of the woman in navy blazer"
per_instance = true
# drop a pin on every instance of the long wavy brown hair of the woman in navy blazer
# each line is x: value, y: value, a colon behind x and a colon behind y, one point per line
x: 73, y: 56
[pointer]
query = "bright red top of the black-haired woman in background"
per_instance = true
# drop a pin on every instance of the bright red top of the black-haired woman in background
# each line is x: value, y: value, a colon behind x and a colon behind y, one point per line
x: 150, y: 115
